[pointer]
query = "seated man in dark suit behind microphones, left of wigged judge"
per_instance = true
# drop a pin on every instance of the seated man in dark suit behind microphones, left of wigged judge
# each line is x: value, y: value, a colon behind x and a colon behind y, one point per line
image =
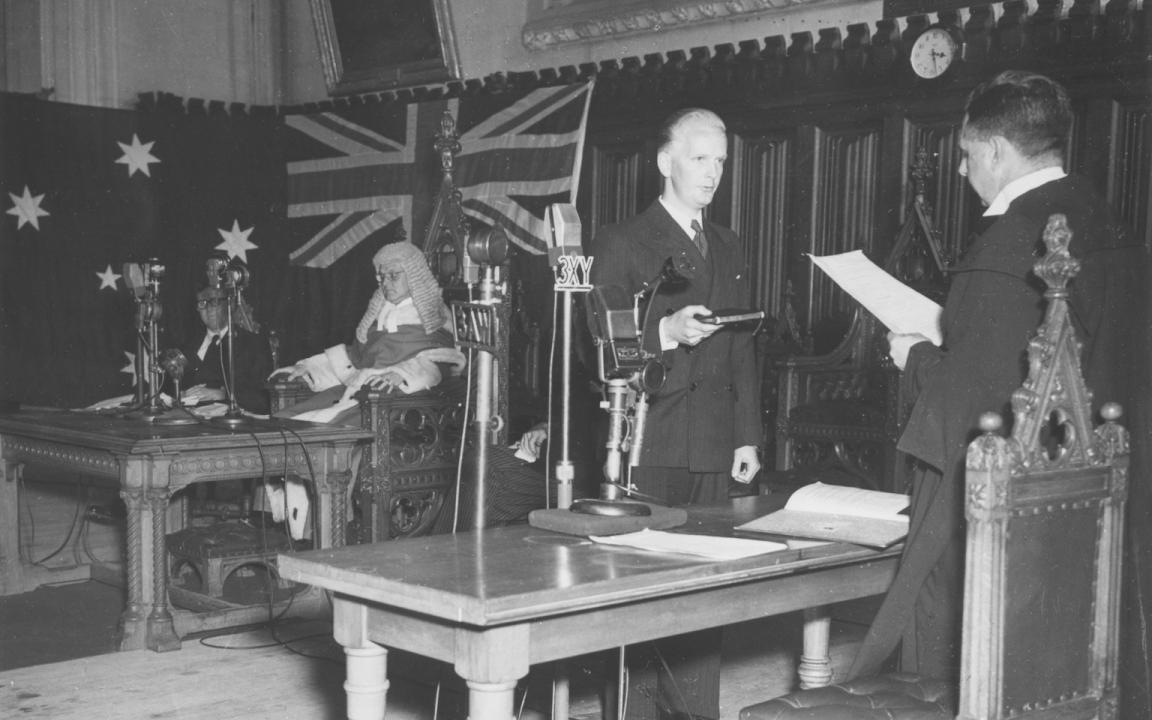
x: 207, y: 375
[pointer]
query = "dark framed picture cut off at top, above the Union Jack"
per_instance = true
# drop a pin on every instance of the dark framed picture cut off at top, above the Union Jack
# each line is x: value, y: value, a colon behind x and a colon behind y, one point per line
x: 373, y: 46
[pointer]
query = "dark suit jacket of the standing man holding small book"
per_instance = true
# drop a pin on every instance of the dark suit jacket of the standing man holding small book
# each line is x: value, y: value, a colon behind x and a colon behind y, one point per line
x: 710, y: 404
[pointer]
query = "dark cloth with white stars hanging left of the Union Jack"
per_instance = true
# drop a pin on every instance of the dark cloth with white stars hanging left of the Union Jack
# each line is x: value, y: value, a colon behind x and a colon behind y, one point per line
x: 63, y: 337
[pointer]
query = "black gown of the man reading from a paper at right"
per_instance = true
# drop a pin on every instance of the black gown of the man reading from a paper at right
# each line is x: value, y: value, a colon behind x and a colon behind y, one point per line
x: 995, y: 307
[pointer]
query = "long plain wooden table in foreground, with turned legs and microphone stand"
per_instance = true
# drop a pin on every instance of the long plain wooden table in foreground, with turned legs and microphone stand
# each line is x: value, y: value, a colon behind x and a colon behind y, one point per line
x: 497, y: 602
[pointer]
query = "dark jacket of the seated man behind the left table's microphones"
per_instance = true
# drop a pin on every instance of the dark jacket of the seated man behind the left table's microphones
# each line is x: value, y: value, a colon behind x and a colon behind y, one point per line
x: 253, y: 361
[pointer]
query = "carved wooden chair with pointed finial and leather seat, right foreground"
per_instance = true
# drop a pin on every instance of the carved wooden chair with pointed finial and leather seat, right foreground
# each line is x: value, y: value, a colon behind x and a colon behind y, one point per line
x: 1042, y: 595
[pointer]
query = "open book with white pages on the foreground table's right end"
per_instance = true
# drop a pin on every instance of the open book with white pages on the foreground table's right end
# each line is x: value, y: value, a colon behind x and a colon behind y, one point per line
x: 840, y: 514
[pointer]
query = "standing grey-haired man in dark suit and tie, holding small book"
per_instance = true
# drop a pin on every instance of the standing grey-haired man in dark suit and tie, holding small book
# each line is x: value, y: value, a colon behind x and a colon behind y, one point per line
x: 704, y: 425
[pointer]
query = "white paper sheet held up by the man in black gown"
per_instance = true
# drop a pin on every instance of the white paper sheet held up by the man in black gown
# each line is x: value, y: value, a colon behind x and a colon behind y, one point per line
x: 900, y: 308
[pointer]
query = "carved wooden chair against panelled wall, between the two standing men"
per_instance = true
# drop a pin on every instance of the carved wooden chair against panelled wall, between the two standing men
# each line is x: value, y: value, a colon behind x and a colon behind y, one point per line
x: 843, y: 411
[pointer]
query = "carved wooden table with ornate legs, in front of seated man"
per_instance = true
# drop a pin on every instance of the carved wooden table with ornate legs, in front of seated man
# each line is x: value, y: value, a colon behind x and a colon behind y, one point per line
x: 151, y: 463
